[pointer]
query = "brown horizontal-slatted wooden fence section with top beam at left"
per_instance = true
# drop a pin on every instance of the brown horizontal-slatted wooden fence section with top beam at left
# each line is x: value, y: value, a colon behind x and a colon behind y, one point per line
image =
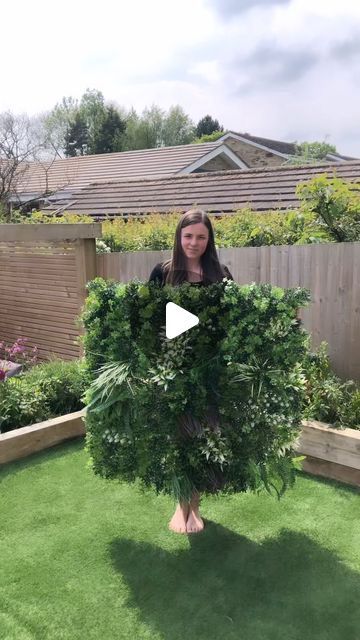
x: 43, y: 272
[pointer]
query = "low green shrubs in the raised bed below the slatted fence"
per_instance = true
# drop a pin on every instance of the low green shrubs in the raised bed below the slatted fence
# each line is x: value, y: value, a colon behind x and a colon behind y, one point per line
x: 45, y: 391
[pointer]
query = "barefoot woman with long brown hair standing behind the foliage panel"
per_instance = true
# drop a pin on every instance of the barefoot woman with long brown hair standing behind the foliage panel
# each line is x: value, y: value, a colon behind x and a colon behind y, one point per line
x: 194, y: 259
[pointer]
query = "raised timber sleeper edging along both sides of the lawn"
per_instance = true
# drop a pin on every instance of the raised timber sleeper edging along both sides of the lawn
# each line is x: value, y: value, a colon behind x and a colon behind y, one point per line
x: 331, y: 453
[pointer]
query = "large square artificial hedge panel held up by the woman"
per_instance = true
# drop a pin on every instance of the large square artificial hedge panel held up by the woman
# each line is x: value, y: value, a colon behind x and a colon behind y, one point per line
x: 217, y: 408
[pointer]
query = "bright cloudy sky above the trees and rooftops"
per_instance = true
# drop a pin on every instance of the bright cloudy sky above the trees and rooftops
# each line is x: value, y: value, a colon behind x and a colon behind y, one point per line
x: 284, y: 69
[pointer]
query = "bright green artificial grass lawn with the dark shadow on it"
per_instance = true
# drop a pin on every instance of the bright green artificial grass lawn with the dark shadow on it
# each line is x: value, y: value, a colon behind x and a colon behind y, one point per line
x: 87, y: 558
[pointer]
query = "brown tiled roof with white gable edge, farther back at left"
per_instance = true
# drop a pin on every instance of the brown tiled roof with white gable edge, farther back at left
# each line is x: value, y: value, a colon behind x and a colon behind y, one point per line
x: 83, y: 170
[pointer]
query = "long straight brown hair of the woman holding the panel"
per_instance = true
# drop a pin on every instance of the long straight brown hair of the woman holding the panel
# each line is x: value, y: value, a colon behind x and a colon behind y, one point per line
x: 175, y: 269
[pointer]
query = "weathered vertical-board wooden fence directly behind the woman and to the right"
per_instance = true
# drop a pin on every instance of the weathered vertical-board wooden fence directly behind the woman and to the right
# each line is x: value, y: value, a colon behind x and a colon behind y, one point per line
x: 331, y: 272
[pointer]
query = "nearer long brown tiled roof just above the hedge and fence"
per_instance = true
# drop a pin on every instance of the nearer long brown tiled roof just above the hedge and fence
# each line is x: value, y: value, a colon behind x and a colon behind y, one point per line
x: 216, y: 192
